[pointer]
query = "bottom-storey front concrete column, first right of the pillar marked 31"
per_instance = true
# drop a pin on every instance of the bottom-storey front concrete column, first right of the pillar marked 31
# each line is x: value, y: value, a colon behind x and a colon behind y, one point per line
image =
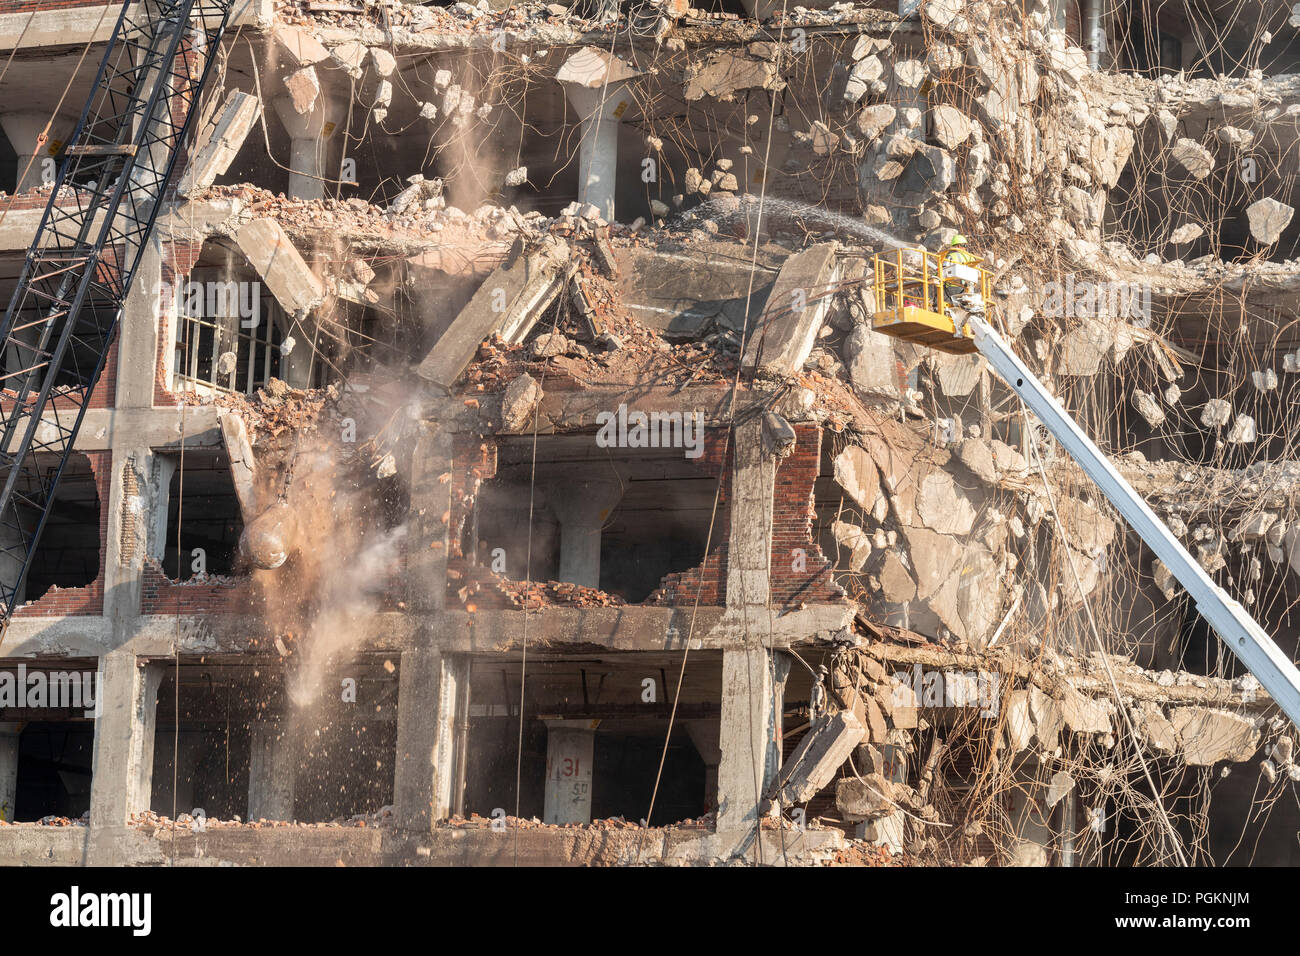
x: 749, y: 734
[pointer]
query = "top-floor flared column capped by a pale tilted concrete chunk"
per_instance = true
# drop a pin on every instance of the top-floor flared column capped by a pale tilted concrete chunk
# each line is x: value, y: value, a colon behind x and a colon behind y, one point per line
x: 596, y: 85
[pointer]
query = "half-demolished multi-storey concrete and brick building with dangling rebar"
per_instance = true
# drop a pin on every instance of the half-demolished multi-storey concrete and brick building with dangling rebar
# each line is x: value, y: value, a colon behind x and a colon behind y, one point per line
x: 497, y: 461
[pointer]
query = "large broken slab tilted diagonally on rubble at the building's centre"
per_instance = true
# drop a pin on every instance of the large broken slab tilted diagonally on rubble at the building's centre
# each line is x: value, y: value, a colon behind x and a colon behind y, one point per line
x: 509, y: 302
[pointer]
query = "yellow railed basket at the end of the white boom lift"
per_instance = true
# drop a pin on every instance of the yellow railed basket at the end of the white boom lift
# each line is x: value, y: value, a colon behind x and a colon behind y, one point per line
x: 912, y: 302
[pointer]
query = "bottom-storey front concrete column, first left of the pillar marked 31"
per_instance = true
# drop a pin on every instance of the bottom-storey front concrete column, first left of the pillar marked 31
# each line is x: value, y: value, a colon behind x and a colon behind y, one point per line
x: 430, y: 687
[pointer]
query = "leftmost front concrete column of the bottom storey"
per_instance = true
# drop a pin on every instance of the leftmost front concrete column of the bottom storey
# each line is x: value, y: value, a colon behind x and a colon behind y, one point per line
x: 123, y: 767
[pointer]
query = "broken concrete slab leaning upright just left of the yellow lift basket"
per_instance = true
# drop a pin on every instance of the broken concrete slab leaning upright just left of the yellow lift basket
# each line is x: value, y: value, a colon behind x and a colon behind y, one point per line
x: 795, y: 312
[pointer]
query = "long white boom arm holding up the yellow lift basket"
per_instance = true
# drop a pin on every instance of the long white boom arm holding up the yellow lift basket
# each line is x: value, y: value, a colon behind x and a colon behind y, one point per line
x: 1237, y: 629
